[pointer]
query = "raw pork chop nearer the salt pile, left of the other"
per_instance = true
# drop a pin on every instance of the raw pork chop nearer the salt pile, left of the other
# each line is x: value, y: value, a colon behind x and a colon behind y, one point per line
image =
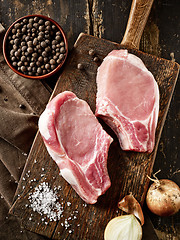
x: 78, y: 144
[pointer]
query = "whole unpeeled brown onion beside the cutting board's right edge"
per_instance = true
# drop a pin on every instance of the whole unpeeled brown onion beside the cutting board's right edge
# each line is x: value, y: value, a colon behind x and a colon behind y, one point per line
x: 163, y: 198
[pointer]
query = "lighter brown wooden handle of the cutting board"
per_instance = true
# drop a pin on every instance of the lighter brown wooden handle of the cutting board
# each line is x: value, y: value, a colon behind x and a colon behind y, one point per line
x: 138, y: 16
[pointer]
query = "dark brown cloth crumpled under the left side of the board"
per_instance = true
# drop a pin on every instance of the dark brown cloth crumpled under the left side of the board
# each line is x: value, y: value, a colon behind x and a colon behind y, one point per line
x: 21, y: 102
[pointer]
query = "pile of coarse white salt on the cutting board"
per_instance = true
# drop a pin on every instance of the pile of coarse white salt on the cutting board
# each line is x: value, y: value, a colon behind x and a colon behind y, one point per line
x: 45, y: 201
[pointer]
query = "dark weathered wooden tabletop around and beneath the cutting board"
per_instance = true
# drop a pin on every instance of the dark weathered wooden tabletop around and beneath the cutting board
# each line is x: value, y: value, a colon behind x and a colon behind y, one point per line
x: 108, y: 19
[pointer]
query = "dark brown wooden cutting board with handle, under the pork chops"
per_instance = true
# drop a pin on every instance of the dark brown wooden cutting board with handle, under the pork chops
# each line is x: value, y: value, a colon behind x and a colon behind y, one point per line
x: 127, y: 170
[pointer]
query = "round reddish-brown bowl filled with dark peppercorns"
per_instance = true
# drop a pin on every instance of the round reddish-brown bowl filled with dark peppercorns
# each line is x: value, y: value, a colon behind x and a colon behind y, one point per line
x: 35, y: 46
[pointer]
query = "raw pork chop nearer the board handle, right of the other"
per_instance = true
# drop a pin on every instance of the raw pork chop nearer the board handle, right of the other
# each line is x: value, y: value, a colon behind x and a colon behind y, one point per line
x: 128, y: 100
